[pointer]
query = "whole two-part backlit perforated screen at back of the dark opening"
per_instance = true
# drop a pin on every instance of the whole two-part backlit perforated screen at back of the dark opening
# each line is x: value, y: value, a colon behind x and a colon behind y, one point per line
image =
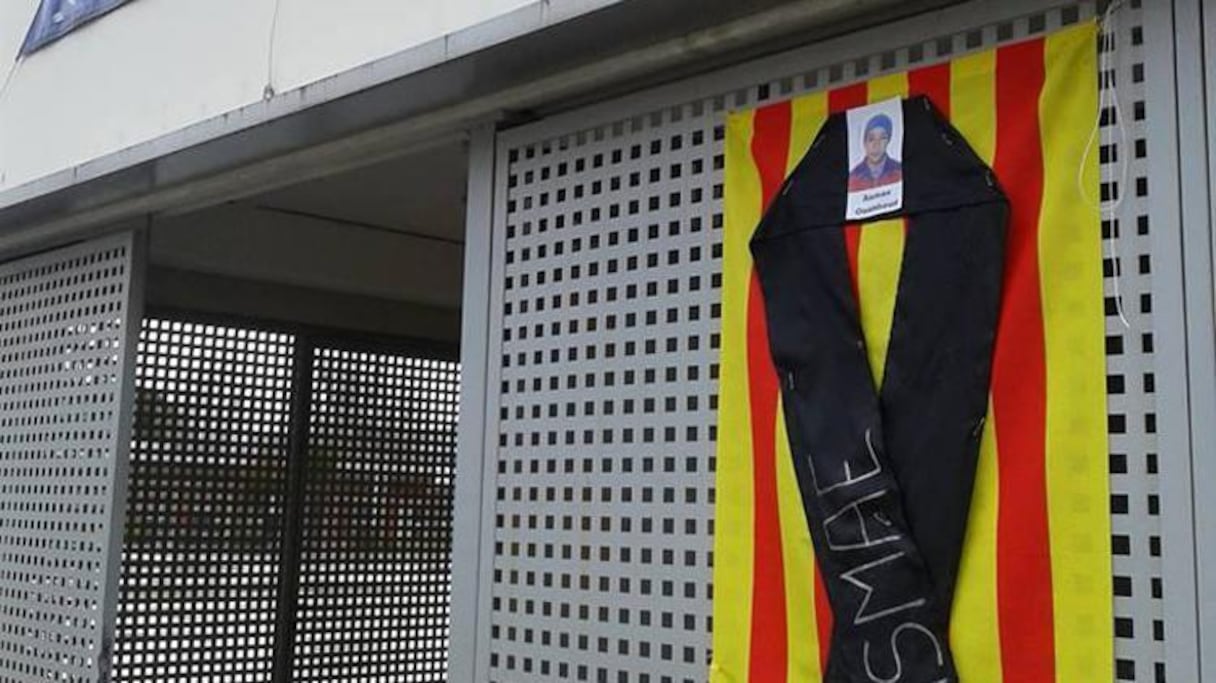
x: 291, y: 509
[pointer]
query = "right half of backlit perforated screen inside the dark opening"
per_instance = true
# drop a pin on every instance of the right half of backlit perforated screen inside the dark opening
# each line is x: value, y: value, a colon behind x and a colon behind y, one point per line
x: 375, y: 586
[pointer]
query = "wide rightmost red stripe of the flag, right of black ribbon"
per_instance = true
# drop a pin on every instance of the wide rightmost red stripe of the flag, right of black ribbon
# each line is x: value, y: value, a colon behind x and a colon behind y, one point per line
x: 1020, y: 381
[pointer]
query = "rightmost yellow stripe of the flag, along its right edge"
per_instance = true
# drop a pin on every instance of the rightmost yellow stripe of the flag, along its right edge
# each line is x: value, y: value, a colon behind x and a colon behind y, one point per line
x: 1071, y: 270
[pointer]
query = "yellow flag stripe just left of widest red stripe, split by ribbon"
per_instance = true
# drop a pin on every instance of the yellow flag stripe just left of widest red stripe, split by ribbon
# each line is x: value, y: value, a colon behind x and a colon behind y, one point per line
x: 975, y: 630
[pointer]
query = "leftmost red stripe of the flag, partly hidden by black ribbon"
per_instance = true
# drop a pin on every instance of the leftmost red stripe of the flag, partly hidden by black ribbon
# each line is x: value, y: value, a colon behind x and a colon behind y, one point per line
x: 770, y: 150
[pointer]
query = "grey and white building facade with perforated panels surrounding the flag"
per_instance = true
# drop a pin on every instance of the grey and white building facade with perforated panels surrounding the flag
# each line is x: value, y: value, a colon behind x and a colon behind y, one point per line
x: 257, y: 257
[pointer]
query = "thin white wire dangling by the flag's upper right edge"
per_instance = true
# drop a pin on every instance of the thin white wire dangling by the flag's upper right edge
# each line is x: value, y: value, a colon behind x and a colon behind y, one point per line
x: 1108, y: 32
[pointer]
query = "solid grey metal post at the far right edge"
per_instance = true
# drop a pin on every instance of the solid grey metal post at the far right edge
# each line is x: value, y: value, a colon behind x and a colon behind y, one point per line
x: 1179, y: 176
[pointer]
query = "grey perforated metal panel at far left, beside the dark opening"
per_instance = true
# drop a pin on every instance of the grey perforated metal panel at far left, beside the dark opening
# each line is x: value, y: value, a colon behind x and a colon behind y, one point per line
x: 65, y: 323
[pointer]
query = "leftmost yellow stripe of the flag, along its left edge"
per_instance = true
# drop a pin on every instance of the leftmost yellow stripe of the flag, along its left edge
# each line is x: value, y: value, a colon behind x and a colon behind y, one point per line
x: 734, y: 509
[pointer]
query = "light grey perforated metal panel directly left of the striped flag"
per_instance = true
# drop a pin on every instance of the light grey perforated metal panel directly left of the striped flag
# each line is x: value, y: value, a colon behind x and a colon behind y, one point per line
x: 604, y: 507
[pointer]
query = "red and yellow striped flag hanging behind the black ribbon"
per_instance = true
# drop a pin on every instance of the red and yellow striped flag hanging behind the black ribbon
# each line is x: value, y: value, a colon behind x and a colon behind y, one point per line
x: 1034, y: 595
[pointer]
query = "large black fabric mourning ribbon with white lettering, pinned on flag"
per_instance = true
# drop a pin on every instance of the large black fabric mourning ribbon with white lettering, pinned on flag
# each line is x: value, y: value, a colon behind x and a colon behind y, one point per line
x: 887, y: 476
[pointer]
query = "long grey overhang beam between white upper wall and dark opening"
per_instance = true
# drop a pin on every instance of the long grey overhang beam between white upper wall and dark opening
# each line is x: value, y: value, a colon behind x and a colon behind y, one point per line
x: 515, y: 69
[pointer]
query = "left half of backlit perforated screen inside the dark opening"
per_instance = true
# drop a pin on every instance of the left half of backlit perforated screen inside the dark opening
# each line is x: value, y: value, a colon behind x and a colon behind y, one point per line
x: 205, y: 523
